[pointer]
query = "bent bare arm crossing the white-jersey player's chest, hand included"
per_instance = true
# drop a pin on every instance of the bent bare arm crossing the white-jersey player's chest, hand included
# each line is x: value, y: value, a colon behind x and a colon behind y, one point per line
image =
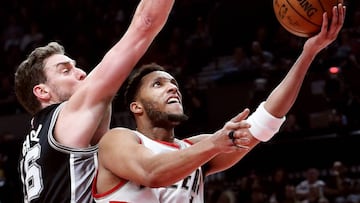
x: 123, y: 157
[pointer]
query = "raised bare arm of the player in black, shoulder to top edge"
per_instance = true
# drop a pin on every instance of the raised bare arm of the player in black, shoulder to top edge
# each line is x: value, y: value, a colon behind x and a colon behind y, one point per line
x: 87, y: 113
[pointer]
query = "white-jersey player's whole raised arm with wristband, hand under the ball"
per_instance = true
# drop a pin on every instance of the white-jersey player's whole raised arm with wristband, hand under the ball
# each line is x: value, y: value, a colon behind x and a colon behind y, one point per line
x: 269, y: 116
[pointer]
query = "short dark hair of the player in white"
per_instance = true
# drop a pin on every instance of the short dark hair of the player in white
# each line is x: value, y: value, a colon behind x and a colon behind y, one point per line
x: 134, y: 81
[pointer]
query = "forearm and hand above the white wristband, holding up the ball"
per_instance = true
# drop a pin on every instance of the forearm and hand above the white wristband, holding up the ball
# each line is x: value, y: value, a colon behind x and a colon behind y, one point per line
x: 283, y: 97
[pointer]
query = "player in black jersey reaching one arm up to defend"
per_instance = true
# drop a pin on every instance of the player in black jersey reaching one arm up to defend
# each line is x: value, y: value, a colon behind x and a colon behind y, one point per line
x: 71, y: 110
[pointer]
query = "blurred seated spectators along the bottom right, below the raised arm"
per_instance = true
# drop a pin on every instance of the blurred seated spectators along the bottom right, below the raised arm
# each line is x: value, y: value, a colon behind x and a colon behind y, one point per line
x: 338, y: 183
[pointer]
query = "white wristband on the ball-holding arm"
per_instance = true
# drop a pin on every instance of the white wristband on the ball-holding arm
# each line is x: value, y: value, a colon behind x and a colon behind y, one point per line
x: 264, y: 125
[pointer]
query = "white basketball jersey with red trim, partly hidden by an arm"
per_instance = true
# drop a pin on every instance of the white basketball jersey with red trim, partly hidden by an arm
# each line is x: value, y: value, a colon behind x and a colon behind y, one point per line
x: 188, y: 190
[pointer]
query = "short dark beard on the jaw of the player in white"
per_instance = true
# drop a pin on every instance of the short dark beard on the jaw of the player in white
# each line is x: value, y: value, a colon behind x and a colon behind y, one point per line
x: 163, y: 119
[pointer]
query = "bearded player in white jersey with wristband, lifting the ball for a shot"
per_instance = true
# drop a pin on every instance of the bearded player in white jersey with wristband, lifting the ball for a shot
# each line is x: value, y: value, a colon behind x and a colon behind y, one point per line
x: 150, y: 165
